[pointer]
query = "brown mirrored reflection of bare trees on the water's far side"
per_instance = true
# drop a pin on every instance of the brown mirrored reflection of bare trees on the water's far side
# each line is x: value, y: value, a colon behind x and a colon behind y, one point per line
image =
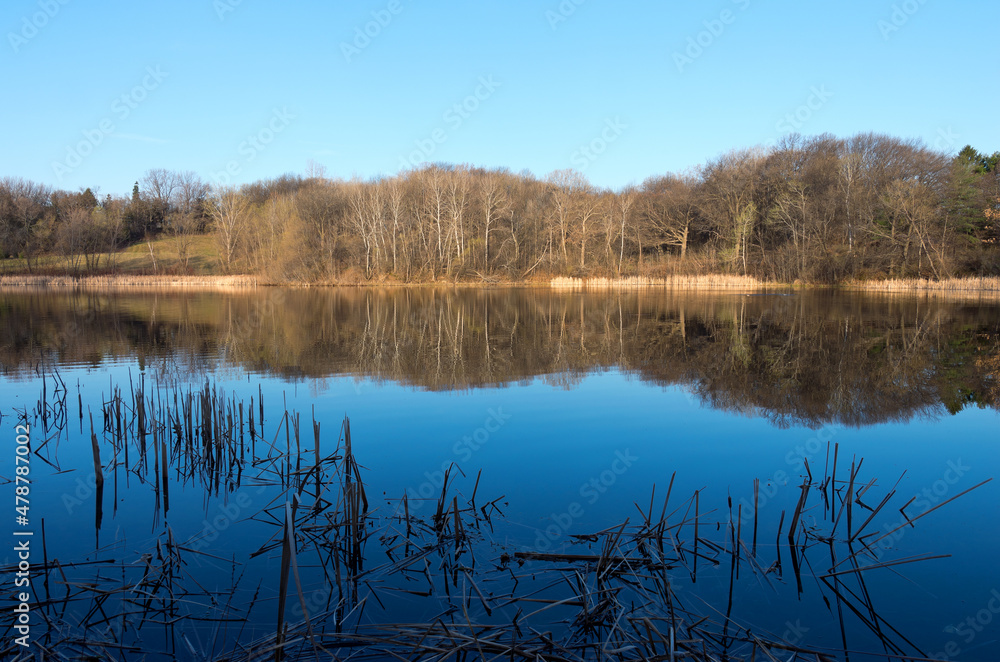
x: 809, y: 358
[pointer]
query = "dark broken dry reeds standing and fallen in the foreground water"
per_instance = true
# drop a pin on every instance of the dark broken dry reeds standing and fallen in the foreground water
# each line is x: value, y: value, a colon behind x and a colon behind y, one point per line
x: 464, y: 592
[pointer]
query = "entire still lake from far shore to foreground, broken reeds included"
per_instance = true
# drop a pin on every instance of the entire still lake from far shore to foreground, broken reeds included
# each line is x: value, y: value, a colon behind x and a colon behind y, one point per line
x: 610, y: 475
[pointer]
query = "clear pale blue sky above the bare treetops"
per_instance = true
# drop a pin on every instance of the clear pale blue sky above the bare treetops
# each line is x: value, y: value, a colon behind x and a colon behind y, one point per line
x: 97, y: 93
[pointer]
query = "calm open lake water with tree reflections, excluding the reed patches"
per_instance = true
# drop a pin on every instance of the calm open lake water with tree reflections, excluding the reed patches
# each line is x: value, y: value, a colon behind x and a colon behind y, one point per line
x: 572, y: 406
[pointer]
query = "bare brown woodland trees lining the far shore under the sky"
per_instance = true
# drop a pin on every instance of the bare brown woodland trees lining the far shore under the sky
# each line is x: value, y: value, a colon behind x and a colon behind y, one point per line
x: 819, y: 209
